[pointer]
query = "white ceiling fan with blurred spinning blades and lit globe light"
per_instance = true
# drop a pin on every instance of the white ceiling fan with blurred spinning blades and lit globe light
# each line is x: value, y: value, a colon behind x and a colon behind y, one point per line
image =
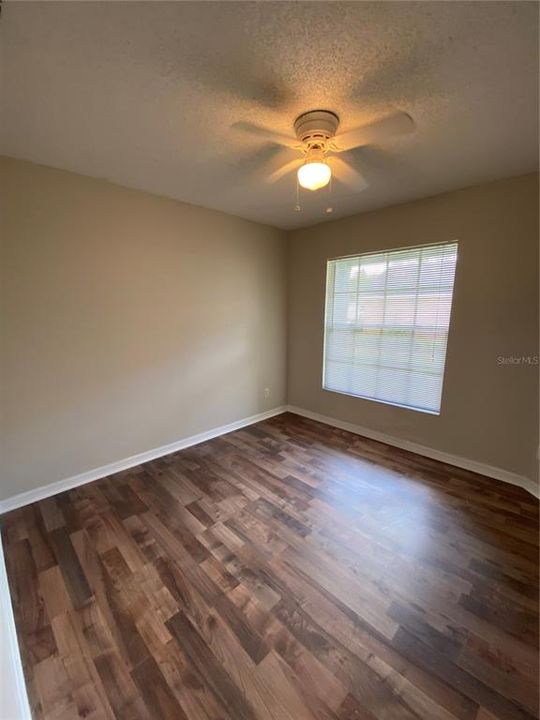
x: 319, y: 146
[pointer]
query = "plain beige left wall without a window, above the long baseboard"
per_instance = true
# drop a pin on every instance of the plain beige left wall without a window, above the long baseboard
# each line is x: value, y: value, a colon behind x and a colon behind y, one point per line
x: 129, y: 322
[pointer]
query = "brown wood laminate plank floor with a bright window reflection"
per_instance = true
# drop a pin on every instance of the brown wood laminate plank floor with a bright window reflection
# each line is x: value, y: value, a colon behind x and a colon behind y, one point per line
x: 286, y: 571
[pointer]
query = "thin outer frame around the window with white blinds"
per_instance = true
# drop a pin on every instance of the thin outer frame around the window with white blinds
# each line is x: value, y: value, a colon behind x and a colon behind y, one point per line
x: 426, y: 411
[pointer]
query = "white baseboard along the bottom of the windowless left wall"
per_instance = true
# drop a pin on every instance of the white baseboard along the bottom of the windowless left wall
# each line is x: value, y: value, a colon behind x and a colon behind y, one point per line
x: 30, y: 496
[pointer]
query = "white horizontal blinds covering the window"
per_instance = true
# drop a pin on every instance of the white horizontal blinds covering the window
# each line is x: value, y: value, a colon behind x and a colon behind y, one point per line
x: 387, y: 318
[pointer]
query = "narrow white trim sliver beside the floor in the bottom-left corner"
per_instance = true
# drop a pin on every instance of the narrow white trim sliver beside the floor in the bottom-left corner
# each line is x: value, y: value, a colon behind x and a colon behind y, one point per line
x: 13, y: 695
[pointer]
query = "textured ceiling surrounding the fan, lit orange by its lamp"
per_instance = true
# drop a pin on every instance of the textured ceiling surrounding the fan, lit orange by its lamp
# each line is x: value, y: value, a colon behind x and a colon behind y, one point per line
x: 146, y: 94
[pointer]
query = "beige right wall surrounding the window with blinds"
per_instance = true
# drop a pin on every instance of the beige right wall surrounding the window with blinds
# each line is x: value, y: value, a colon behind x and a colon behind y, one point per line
x: 489, y: 411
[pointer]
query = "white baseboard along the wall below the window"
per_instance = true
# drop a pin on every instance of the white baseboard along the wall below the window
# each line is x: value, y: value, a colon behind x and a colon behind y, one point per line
x: 464, y: 463
